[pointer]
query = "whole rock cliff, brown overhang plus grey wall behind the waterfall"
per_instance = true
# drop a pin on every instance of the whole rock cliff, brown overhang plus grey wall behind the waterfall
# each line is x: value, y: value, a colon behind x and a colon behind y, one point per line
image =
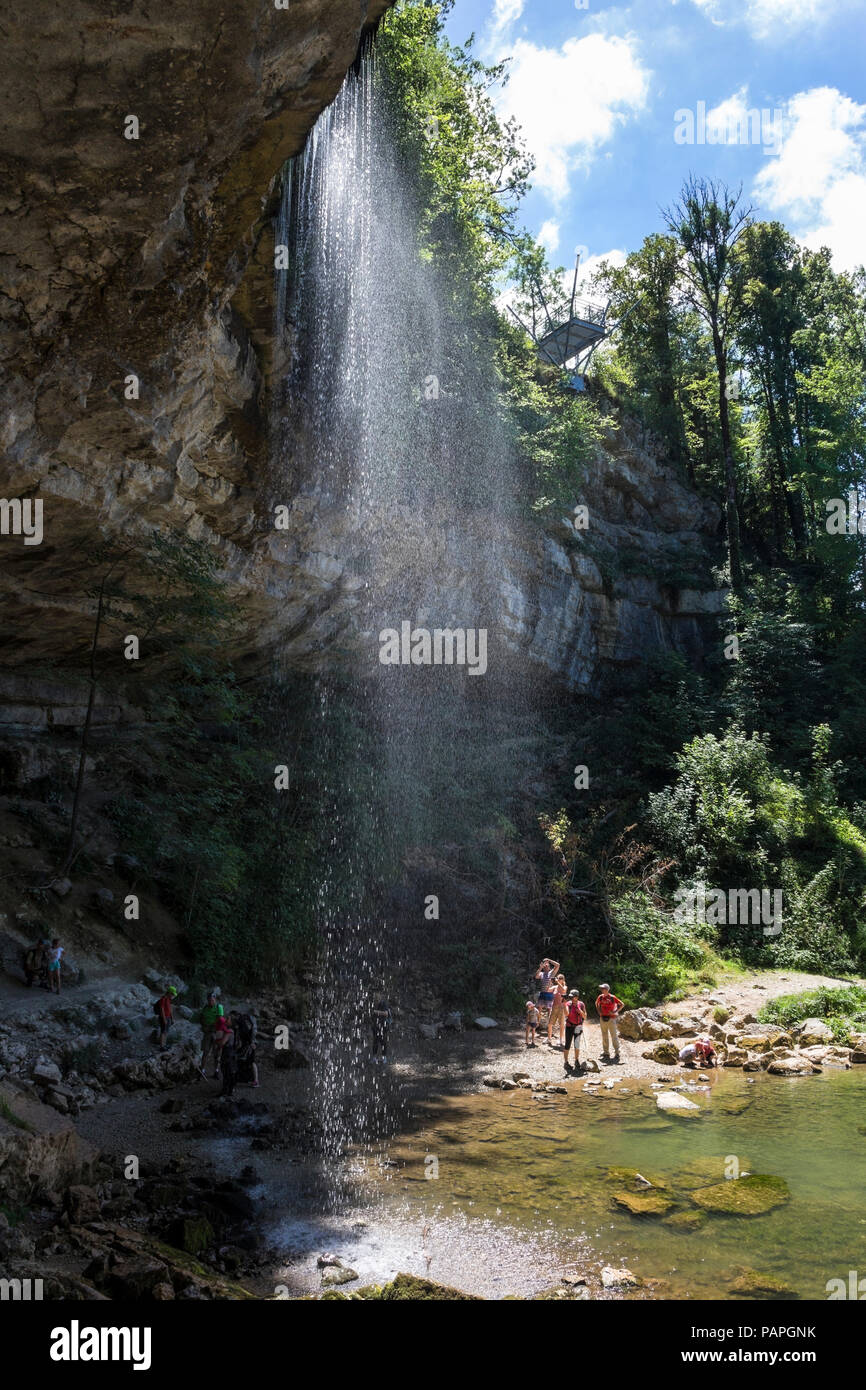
x: 145, y: 266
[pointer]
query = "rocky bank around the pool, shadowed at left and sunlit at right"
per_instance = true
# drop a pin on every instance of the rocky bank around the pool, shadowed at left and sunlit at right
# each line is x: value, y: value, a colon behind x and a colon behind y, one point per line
x: 126, y: 1175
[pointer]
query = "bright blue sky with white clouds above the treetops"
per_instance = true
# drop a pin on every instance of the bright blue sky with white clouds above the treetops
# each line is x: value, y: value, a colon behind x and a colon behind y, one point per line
x: 598, y: 91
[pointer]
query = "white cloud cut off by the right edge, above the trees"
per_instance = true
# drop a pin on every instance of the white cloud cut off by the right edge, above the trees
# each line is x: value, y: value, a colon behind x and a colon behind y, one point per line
x: 817, y: 183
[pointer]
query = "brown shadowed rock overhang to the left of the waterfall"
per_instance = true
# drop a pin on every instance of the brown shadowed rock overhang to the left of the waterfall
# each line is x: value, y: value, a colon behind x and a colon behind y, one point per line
x: 141, y: 258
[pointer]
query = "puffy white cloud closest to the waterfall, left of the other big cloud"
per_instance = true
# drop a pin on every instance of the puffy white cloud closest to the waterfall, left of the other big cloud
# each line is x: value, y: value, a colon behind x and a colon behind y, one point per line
x: 571, y: 101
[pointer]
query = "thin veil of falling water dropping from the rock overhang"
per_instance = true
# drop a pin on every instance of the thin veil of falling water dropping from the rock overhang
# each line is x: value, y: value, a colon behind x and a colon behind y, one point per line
x: 390, y: 441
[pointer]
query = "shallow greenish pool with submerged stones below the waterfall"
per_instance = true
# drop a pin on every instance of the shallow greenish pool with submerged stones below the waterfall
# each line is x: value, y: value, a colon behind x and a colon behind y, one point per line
x: 537, y: 1174
